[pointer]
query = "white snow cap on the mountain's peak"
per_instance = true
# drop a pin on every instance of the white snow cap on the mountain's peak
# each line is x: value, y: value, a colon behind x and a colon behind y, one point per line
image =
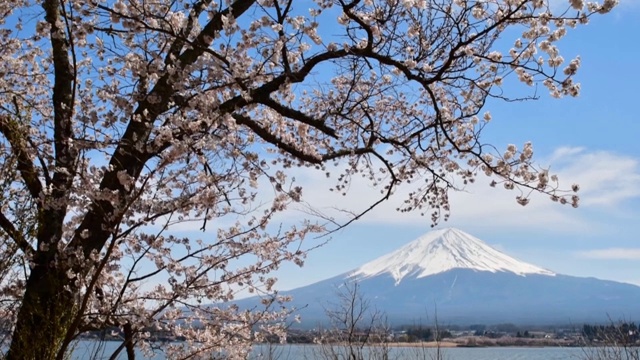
x: 442, y: 250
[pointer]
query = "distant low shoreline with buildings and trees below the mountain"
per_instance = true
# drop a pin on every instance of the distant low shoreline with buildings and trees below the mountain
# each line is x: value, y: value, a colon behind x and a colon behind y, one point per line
x: 446, y: 336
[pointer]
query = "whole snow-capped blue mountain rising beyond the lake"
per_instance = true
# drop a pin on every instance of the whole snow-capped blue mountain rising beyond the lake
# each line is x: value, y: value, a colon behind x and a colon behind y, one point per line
x: 462, y: 280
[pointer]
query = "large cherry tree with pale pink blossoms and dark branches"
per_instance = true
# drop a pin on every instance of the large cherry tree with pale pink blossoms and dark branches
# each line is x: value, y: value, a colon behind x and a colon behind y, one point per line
x: 121, y: 118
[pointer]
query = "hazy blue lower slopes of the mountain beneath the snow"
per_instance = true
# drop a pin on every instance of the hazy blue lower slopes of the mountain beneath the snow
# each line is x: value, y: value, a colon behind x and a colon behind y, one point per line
x: 463, y: 296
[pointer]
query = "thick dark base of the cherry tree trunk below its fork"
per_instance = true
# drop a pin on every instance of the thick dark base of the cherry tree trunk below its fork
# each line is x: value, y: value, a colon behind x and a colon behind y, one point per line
x: 45, y: 315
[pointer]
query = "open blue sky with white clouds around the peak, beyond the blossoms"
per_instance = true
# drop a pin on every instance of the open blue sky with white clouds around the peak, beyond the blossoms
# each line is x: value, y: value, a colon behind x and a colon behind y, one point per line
x: 592, y: 140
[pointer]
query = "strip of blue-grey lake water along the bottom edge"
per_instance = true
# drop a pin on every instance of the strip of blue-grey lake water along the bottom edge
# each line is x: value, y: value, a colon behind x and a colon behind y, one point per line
x: 85, y: 349
